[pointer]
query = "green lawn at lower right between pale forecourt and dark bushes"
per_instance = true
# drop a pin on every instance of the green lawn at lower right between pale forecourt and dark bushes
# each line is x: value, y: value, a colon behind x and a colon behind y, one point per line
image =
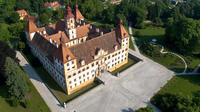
x: 184, y: 85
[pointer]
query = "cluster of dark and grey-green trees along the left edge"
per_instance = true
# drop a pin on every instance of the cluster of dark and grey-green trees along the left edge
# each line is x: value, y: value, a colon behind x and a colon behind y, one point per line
x: 12, y: 76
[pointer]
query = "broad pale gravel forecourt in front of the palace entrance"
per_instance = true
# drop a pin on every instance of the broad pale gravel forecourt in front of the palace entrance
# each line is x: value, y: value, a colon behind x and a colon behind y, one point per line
x: 131, y: 90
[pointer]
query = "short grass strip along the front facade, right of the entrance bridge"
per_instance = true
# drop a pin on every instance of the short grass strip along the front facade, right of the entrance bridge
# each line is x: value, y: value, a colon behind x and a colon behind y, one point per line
x: 124, y: 67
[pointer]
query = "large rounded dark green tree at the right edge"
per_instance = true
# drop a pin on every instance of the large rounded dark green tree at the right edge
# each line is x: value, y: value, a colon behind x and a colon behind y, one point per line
x: 184, y: 35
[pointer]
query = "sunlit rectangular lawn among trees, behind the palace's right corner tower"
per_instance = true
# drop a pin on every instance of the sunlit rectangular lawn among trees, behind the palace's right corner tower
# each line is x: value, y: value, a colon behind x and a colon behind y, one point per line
x: 149, y: 33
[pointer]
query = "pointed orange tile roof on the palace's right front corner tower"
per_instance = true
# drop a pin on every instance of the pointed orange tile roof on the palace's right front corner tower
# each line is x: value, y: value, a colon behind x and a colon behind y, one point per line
x: 121, y: 31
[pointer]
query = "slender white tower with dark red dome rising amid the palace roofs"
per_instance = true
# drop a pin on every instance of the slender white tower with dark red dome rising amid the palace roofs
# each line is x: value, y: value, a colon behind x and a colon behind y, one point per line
x: 70, y: 24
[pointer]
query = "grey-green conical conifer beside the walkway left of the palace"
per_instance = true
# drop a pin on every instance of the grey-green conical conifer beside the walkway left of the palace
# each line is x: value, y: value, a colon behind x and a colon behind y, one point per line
x: 16, y: 83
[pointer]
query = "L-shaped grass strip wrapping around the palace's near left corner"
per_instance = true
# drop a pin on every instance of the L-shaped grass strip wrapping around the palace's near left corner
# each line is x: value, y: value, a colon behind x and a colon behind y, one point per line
x: 55, y: 88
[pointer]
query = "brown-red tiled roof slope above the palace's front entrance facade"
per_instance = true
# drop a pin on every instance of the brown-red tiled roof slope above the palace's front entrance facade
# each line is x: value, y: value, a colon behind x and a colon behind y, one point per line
x: 86, y: 51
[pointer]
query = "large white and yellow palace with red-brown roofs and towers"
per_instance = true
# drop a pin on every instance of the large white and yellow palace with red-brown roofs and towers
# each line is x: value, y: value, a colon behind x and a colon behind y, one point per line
x: 74, y: 52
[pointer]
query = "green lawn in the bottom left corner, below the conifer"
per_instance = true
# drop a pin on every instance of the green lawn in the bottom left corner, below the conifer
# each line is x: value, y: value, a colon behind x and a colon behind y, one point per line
x: 37, y: 103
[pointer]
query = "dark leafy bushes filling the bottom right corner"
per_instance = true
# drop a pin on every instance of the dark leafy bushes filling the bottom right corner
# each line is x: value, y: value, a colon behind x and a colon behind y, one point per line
x: 176, y: 103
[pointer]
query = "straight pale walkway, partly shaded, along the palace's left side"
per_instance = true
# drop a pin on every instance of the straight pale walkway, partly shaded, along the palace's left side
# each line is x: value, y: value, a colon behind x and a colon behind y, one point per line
x: 48, y: 97
